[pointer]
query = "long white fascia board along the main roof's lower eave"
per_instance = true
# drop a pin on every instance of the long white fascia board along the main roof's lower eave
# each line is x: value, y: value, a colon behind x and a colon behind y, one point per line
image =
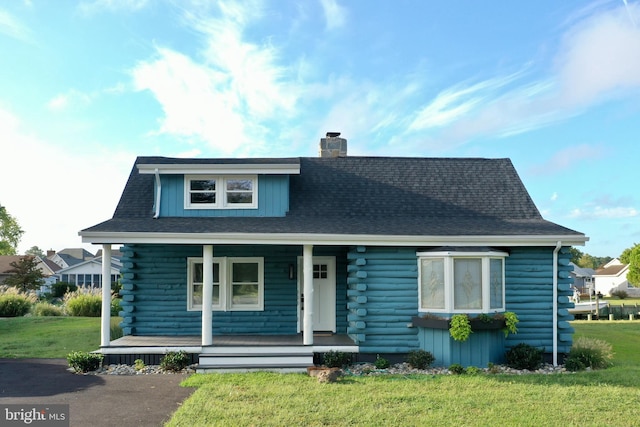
x: 328, y: 239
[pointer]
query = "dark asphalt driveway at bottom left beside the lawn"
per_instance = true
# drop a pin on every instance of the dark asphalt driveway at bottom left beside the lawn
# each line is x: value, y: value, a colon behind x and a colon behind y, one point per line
x: 94, y: 400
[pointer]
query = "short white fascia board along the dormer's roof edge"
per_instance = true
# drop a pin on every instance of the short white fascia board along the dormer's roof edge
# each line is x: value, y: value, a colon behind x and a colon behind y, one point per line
x: 227, y: 169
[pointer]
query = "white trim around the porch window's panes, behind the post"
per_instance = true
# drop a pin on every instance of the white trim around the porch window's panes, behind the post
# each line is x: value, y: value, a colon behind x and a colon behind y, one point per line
x: 226, y: 303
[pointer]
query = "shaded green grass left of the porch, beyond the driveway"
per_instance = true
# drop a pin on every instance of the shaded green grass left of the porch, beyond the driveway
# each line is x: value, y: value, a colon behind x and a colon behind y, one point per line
x: 48, y: 337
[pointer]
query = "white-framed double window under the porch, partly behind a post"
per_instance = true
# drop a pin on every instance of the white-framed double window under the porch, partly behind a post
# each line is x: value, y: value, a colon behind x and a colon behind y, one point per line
x: 238, y: 284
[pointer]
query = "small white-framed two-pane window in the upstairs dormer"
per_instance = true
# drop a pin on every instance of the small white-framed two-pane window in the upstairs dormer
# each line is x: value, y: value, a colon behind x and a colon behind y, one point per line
x: 220, y: 192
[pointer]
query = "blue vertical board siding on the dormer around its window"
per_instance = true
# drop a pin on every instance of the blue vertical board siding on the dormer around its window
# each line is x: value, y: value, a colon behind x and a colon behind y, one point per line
x: 273, y: 199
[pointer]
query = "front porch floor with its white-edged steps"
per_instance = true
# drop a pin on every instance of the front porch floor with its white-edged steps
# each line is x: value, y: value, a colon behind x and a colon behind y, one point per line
x: 230, y: 353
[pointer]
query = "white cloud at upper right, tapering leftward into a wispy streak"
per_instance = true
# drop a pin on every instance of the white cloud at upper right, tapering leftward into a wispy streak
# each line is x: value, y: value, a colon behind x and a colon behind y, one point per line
x: 598, y: 60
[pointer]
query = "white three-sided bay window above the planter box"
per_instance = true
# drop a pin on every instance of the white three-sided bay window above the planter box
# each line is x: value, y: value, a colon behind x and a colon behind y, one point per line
x: 458, y: 281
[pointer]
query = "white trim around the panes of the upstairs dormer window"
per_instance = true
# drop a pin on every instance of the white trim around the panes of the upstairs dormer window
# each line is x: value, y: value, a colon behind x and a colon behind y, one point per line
x: 221, y: 192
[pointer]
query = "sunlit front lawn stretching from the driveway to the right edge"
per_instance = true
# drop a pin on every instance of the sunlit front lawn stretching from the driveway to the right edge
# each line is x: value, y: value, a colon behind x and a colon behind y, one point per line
x: 607, y: 397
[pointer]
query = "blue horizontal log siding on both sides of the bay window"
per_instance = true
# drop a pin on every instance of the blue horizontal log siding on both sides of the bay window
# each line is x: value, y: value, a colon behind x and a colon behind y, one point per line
x: 383, y: 297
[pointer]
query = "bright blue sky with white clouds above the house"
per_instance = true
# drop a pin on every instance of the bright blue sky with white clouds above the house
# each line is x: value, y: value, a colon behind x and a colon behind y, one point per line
x: 86, y: 86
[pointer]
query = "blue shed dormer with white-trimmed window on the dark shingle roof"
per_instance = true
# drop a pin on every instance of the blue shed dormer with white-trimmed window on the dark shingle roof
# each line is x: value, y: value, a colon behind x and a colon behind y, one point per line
x: 224, y: 188
